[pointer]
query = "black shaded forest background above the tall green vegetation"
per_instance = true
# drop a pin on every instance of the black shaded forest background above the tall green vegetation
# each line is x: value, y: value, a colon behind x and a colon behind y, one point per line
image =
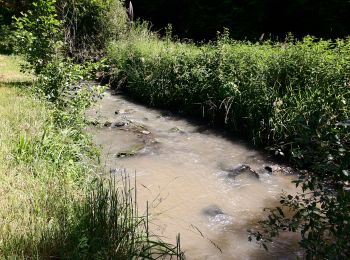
x: 248, y: 19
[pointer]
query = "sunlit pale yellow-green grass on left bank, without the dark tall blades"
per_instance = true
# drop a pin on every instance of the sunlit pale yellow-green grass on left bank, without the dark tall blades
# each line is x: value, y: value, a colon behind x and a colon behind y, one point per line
x: 35, y: 188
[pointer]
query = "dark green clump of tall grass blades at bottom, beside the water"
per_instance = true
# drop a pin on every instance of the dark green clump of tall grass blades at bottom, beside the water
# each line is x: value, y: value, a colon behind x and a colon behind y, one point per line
x: 110, y: 227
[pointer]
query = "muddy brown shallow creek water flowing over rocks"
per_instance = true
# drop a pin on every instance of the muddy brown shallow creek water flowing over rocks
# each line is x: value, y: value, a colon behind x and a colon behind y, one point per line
x: 182, y: 170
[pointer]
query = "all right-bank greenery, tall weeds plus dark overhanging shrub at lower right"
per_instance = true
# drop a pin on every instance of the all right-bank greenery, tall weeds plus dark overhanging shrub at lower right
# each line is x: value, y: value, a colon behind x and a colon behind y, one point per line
x: 292, y: 96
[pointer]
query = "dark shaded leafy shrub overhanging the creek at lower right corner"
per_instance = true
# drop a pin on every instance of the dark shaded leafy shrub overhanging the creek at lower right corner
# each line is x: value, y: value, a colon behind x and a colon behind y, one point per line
x: 321, y: 212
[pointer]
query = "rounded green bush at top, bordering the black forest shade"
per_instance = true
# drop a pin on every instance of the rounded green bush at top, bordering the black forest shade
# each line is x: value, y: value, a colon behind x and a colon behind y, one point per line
x: 90, y: 24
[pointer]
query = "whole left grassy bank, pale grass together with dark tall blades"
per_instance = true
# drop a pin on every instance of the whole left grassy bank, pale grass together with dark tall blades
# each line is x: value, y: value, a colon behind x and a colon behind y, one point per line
x: 53, y: 204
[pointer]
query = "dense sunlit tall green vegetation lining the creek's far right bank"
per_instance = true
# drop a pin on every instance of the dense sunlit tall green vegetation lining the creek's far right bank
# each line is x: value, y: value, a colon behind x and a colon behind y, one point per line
x: 285, y: 95
